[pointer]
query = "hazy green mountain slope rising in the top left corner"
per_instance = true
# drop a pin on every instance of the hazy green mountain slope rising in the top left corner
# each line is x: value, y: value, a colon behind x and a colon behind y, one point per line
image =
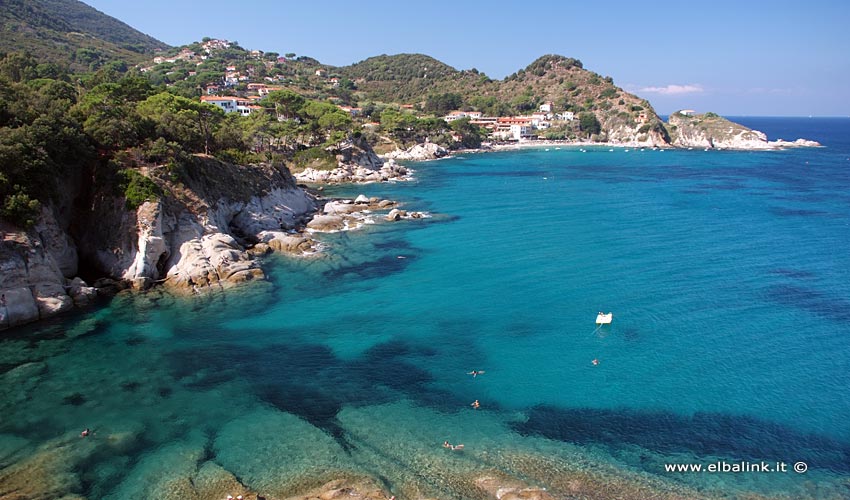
x: 70, y: 33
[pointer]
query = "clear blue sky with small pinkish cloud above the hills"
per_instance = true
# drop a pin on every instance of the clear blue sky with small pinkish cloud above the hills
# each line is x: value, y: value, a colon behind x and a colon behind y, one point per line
x: 743, y: 57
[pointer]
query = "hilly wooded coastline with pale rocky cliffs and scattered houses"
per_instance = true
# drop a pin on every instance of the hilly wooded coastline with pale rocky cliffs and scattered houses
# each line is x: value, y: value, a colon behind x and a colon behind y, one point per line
x: 126, y: 163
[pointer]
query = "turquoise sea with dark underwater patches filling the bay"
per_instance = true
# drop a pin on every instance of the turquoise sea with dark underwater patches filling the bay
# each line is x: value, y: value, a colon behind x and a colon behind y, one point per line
x: 728, y: 275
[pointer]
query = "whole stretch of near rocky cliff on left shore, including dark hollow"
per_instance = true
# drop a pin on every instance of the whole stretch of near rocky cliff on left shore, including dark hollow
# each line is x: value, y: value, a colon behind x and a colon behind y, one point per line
x: 196, y: 237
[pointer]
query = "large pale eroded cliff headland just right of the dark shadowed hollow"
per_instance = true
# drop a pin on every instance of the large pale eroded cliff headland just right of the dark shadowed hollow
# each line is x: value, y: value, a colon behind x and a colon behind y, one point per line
x: 196, y: 237
